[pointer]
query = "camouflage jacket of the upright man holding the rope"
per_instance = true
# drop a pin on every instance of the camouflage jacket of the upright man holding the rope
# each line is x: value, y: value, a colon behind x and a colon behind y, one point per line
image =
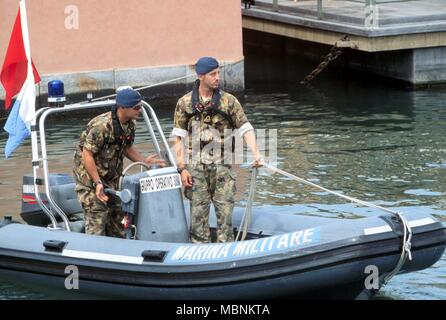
x: 207, y: 127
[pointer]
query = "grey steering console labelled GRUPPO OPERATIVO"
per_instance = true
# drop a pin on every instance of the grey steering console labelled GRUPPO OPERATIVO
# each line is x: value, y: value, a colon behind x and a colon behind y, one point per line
x: 157, y: 205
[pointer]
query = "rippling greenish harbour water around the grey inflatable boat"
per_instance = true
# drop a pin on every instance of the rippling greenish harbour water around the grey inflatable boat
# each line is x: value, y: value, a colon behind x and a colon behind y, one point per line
x: 358, y: 135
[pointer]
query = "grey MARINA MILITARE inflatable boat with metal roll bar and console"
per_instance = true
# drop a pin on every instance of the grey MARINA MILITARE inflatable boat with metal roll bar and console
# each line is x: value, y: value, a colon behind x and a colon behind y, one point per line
x: 282, y: 256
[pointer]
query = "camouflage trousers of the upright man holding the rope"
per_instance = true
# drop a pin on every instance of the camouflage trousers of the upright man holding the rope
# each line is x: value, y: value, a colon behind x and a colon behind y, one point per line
x: 211, y: 183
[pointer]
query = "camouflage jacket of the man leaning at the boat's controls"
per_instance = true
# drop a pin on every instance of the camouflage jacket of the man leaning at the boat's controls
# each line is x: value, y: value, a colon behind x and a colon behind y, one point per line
x: 108, y: 155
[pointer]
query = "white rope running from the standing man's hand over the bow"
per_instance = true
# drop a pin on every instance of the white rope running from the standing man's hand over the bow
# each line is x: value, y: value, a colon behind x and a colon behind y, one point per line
x: 407, y: 231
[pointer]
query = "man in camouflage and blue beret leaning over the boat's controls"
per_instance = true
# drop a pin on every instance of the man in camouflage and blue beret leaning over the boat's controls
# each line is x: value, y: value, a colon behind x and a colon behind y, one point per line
x: 98, y: 163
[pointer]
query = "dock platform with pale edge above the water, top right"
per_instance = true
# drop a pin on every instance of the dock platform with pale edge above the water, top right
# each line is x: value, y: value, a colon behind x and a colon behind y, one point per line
x: 408, y: 36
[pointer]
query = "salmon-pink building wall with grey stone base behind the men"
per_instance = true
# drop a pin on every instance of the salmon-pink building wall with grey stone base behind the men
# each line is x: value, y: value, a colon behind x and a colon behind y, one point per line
x: 116, y: 39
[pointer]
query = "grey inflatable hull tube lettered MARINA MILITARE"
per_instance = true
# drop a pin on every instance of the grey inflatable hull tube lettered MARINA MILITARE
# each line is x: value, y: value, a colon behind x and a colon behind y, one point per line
x: 332, y: 264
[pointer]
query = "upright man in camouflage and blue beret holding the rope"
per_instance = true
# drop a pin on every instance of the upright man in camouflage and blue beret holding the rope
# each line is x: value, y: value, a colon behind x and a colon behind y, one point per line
x: 204, y: 116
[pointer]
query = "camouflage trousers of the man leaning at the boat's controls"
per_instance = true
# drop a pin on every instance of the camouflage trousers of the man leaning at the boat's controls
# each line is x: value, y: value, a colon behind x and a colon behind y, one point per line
x: 101, y: 219
